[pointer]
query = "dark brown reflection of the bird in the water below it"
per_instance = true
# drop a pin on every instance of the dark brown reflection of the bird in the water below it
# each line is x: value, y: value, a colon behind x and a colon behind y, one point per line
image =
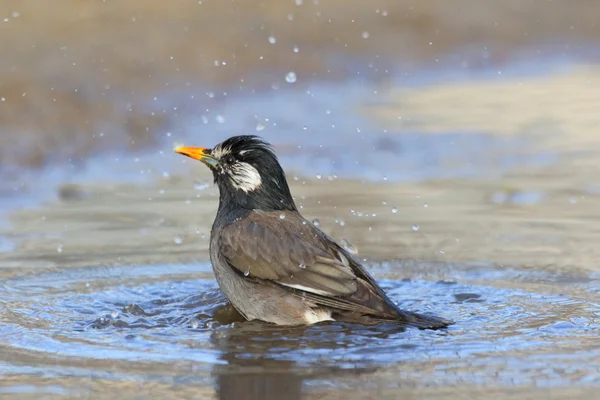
x: 251, y: 369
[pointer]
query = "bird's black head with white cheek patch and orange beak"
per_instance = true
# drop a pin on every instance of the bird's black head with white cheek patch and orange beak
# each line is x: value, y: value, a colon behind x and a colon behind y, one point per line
x: 247, y: 172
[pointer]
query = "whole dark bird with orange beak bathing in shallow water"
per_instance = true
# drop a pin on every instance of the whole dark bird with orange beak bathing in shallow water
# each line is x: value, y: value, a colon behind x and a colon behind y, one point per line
x: 271, y: 263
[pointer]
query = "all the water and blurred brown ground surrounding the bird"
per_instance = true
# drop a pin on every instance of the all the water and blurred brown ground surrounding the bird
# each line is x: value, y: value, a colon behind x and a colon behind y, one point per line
x: 452, y: 145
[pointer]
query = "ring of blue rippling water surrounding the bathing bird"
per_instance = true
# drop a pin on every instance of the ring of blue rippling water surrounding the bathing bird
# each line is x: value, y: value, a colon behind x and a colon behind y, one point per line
x: 173, y: 317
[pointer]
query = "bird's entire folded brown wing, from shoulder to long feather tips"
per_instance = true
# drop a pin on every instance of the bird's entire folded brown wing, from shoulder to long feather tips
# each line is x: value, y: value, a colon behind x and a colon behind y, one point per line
x: 293, y: 253
